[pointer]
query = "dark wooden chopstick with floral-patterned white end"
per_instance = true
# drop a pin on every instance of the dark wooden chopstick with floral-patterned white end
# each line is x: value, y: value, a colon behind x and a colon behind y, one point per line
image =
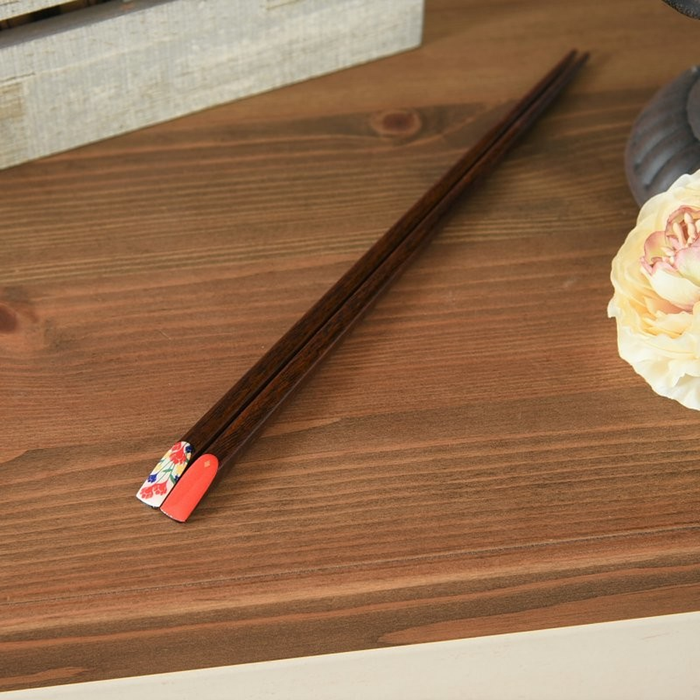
x: 199, y: 438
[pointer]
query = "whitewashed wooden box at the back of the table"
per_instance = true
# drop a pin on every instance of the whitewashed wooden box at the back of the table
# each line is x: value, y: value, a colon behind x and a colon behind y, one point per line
x: 118, y: 66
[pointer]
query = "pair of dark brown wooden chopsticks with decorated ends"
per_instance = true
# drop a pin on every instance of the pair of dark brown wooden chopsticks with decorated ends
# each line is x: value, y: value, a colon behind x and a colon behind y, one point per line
x: 220, y: 435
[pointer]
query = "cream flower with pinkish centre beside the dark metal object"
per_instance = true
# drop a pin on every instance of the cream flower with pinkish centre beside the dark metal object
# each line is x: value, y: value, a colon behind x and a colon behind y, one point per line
x: 656, y: 276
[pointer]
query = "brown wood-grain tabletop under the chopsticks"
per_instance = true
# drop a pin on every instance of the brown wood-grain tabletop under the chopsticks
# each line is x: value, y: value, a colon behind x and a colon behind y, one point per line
x: 473, y: 459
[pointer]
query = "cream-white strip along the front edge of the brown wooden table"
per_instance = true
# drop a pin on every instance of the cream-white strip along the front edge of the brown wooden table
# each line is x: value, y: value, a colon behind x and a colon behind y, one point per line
x: 641, y: 659
